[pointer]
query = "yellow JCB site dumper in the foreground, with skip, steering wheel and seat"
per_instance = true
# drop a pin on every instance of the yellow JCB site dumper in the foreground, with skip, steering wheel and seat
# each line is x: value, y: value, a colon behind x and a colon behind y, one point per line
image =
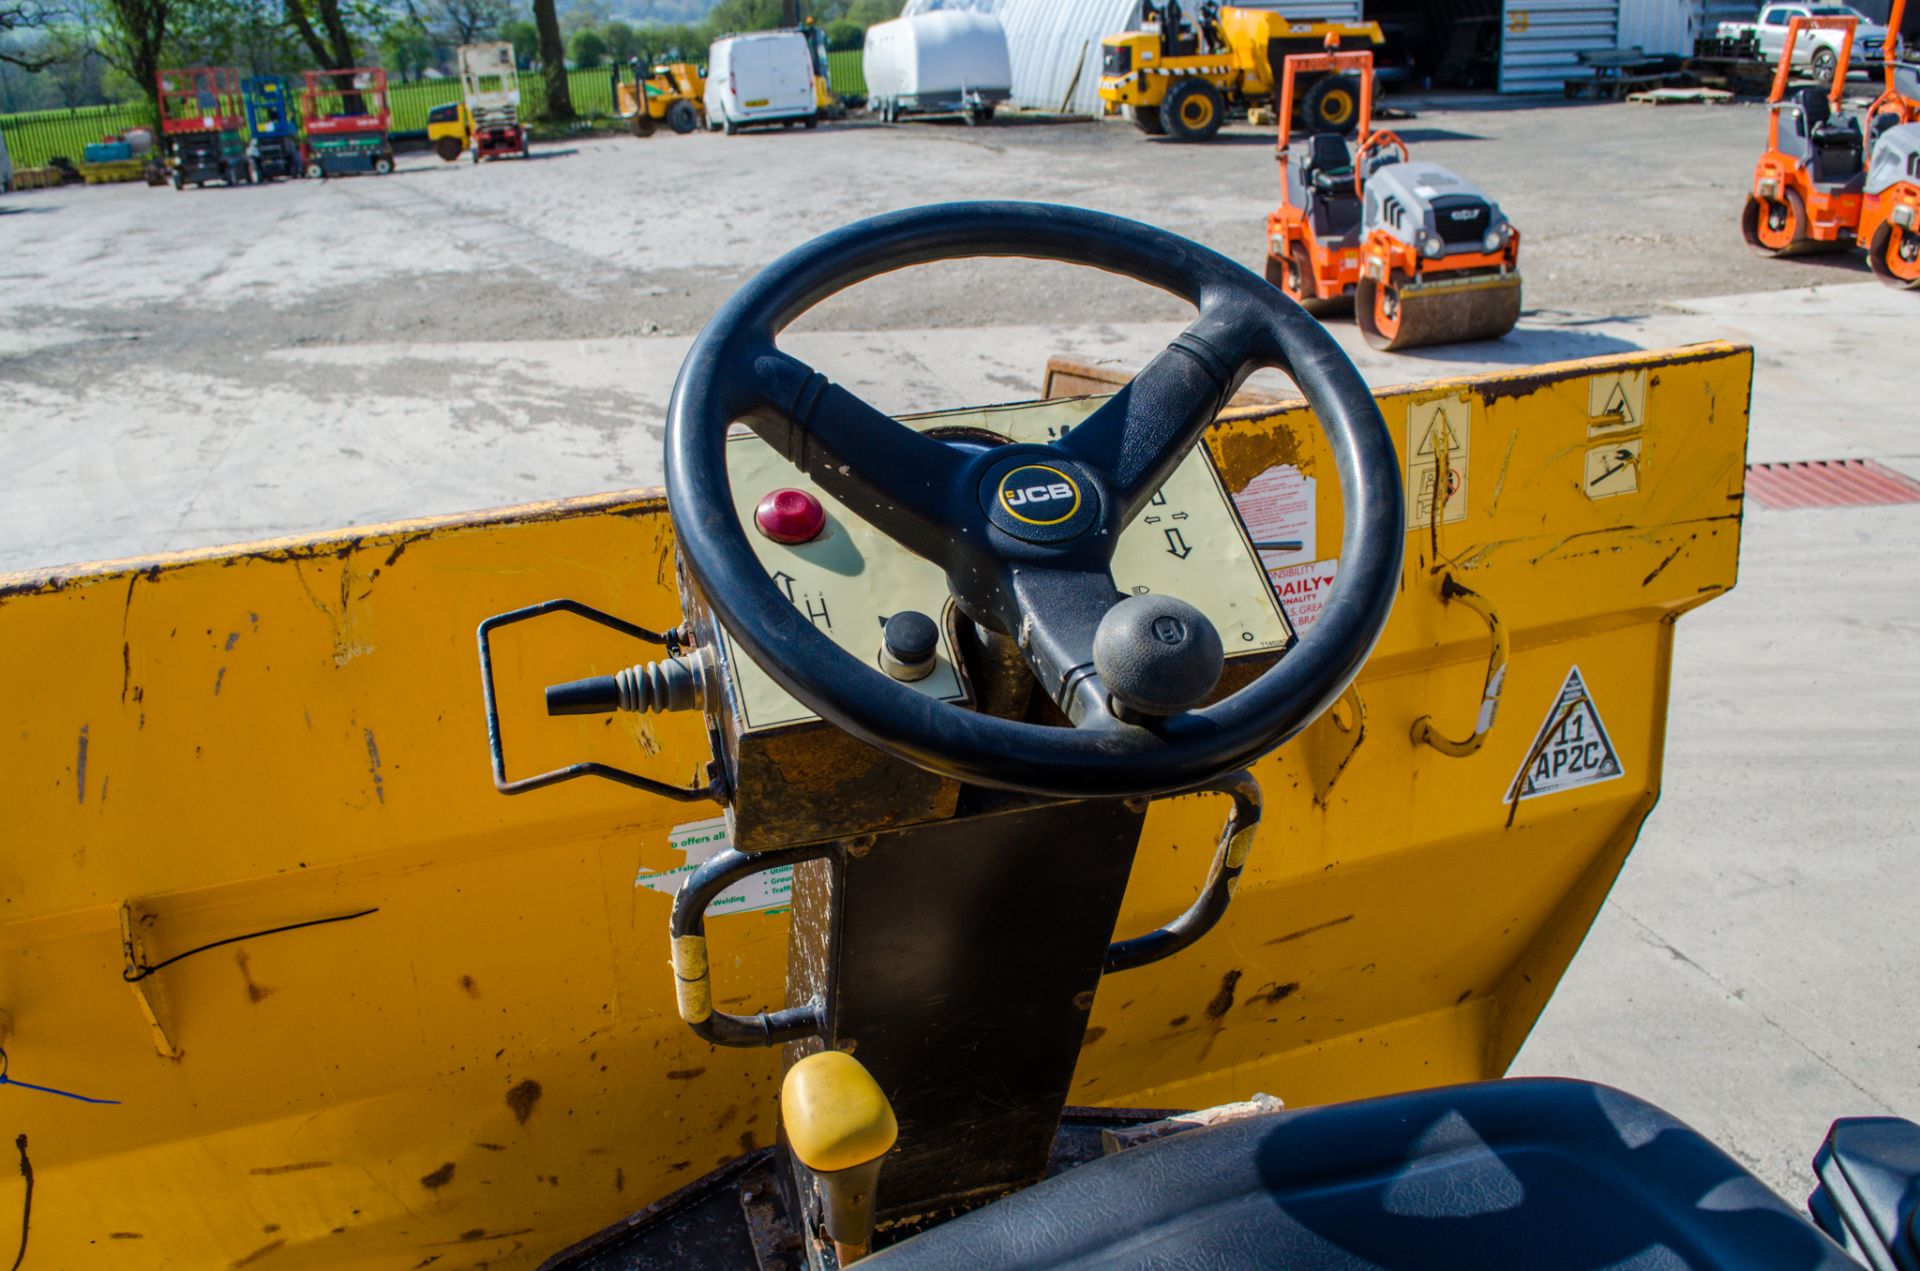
x: 898, y: 813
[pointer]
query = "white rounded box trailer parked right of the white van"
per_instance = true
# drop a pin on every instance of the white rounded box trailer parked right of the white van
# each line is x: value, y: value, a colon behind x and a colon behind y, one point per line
x: 948, y: 60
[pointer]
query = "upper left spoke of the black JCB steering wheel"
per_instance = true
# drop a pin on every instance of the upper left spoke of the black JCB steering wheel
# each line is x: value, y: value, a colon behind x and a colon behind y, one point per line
x: 896, y: 479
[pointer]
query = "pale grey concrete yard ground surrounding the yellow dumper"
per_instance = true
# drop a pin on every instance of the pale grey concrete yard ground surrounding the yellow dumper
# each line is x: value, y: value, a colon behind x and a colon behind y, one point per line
x: 204, y: 368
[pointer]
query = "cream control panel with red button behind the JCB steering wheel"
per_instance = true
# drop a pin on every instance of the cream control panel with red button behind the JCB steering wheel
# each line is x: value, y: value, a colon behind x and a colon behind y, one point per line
x: 873, y: 598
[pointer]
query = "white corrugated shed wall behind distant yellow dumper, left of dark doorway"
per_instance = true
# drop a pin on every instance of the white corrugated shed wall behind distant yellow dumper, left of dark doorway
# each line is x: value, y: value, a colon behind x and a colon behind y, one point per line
x: 1055, y: 45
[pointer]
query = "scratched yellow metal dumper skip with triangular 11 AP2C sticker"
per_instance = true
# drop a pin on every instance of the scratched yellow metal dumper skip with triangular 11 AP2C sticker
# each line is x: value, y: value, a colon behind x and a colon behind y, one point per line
x: 360, y: 1011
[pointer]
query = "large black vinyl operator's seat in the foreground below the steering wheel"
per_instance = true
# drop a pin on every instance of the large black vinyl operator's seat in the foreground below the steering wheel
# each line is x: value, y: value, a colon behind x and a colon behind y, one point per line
x: 1508, y: 1174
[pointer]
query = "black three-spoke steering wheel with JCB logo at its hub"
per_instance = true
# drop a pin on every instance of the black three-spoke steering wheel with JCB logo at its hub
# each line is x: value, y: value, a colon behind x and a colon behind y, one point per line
x: 1026, y: 533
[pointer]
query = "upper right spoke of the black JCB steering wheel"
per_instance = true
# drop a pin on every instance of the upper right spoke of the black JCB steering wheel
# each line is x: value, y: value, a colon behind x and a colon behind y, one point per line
x: 1143, y: 433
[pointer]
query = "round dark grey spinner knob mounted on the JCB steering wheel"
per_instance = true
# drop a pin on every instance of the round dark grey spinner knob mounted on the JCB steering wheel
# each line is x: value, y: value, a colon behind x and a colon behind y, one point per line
x: 1157, y: 656
